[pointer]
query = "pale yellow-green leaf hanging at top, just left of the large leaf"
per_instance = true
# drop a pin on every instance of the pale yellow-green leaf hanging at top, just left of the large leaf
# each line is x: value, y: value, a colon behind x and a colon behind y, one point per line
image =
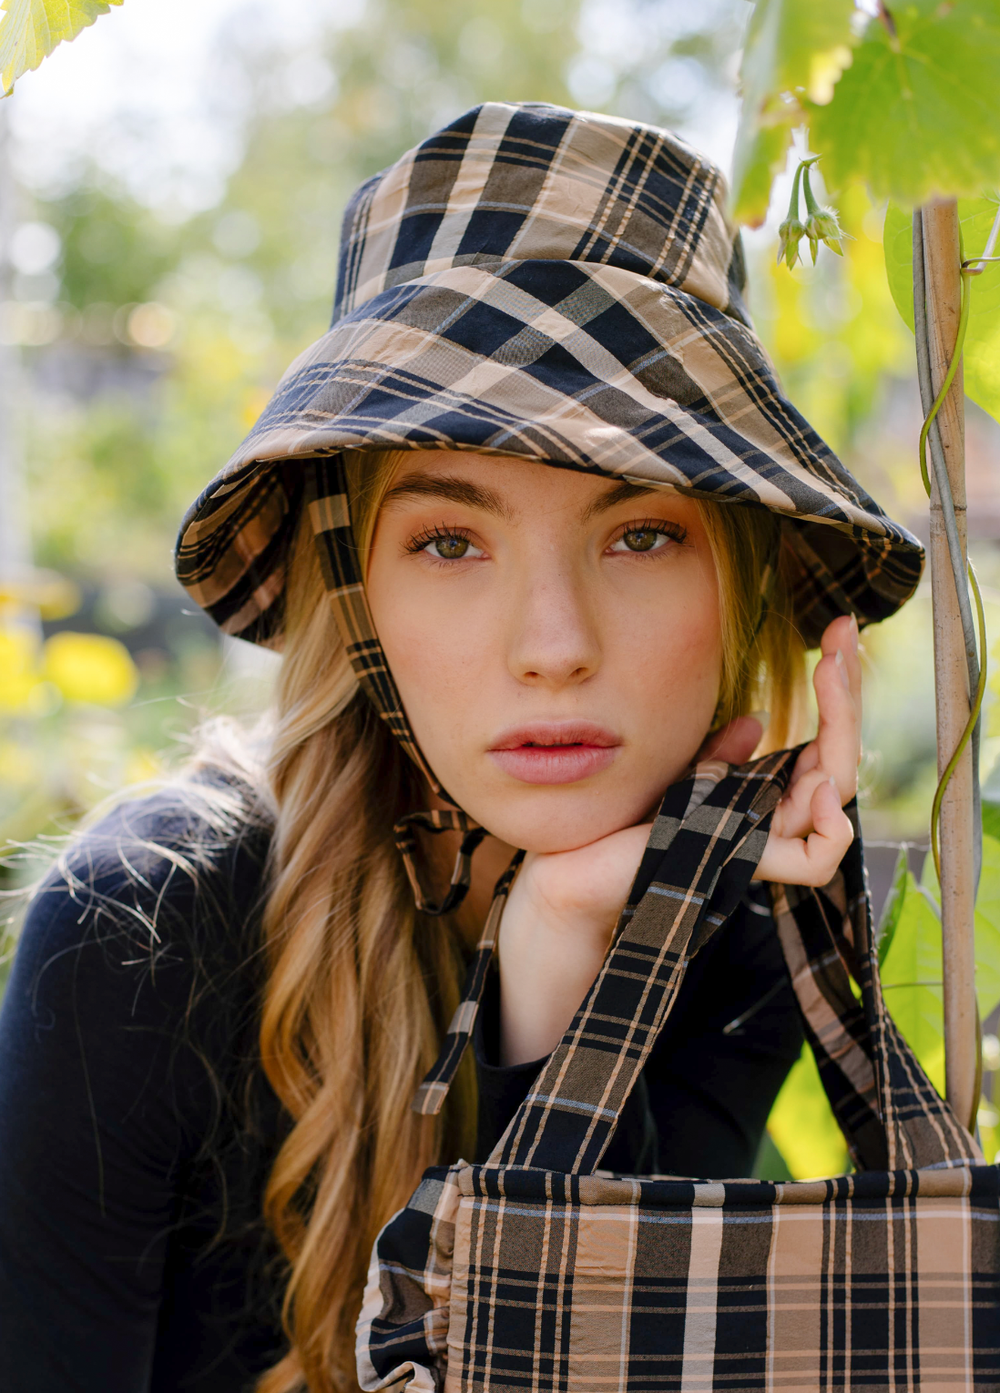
x: 793, y: 49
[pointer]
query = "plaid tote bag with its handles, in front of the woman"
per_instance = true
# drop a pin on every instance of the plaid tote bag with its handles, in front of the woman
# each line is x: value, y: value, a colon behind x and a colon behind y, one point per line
x: 538, y: 1273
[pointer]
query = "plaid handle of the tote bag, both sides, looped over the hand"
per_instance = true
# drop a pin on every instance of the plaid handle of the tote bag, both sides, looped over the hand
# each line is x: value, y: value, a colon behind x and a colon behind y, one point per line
x: 701, y: 857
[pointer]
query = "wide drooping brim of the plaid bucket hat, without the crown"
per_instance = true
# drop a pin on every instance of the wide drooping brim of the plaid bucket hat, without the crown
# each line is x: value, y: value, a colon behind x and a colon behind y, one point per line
x: 588, y: 367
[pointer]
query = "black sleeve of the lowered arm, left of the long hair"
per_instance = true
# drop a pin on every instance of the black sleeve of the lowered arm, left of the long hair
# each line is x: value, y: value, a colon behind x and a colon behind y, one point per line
x: 104, y: 1105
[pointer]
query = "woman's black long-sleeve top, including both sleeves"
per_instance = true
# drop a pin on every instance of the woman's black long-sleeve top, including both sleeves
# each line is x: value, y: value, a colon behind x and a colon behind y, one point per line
x: 137, y: 1129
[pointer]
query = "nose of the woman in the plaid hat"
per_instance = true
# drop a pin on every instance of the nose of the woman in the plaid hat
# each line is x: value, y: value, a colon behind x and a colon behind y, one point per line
x: 554, y: 632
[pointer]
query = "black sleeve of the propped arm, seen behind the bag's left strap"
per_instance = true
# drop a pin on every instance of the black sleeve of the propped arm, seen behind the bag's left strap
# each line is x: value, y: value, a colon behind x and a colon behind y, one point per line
x: 703, y: 1101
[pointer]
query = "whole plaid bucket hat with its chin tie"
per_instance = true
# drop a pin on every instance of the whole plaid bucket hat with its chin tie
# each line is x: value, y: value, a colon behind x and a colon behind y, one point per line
x: 544, y: 285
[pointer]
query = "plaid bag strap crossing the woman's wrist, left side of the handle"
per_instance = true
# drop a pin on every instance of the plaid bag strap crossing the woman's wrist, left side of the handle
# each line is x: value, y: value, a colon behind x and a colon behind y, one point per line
x: 705, y: 845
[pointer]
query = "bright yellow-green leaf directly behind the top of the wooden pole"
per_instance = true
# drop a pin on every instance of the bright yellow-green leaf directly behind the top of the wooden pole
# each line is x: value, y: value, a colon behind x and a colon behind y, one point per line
x: 983, y: 336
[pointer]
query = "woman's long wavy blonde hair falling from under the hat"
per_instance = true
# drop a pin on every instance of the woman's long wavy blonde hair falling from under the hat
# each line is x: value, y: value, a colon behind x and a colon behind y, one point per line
x: 361, y: 987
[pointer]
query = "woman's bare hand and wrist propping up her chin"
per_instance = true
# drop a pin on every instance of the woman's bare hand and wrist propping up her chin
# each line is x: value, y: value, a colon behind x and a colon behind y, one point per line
x: 563, y: 908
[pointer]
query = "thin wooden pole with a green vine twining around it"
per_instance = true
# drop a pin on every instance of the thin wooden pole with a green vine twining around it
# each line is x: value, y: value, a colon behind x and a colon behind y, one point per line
x: 942, y: 270
